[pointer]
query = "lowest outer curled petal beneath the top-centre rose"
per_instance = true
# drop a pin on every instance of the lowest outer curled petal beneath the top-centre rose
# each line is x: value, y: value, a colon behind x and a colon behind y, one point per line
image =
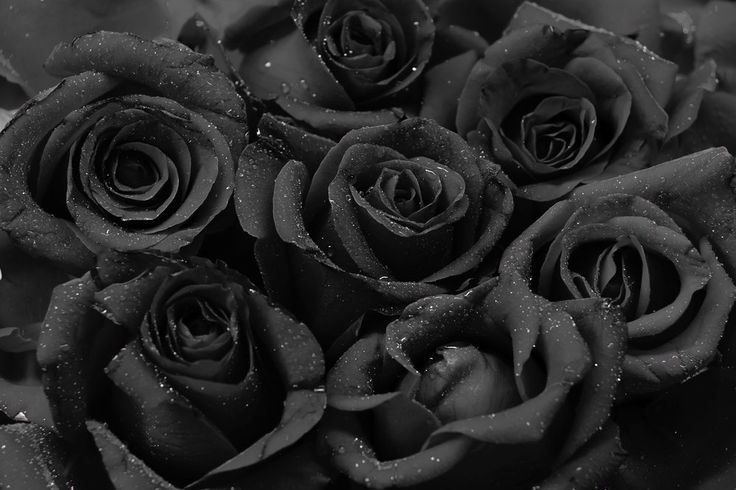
x: 335, y: 123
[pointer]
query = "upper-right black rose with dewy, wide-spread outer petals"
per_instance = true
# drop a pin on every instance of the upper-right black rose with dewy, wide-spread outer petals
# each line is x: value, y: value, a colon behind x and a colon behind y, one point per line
x: 557, y: 103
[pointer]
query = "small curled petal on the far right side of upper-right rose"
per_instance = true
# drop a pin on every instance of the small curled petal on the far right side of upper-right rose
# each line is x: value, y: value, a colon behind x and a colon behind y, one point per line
x: 684, y: 107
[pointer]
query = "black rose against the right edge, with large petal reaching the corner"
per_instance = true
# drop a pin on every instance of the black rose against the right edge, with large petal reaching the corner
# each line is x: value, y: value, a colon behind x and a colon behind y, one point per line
x: 651, y: 243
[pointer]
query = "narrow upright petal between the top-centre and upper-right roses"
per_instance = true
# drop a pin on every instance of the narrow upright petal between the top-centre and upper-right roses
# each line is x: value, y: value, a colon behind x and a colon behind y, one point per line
x: 443, y: 84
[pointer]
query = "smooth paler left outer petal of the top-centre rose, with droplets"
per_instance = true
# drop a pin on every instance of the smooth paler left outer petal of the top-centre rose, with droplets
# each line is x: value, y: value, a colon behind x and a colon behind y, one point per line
x: 290, y: 65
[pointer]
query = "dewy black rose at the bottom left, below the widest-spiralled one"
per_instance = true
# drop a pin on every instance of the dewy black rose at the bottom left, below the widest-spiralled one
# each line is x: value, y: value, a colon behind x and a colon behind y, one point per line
x: 203, y: 376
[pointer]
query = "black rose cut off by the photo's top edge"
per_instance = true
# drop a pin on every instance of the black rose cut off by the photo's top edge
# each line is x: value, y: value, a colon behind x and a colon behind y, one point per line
x: 337, y: 65
